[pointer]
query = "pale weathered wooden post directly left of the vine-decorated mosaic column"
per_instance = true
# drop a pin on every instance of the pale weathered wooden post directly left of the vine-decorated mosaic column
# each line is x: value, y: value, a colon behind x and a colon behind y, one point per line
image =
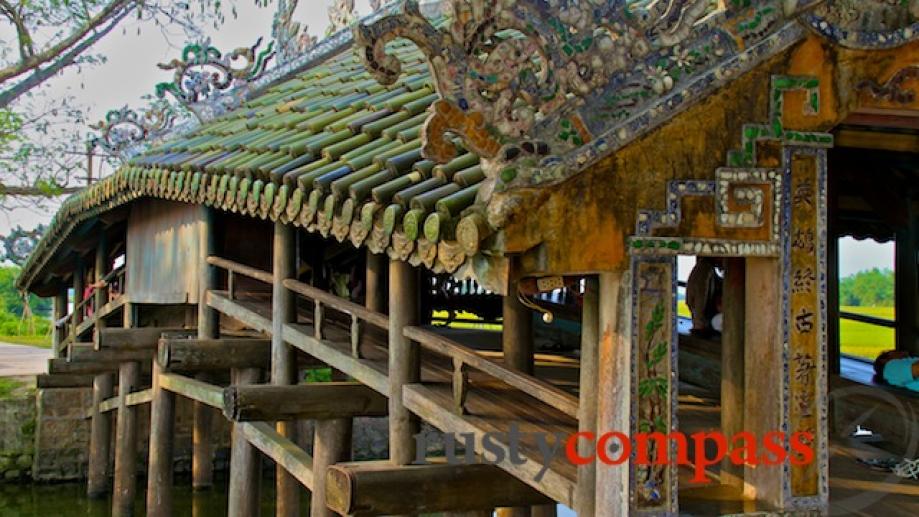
x: 615, y: 376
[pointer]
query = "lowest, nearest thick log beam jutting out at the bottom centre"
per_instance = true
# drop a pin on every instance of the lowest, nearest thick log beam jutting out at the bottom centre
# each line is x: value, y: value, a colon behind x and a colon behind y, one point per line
x: 380, y: 488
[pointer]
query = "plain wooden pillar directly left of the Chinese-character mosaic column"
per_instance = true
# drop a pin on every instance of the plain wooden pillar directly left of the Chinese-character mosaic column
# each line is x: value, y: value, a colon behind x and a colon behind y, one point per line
x: 763, y: 364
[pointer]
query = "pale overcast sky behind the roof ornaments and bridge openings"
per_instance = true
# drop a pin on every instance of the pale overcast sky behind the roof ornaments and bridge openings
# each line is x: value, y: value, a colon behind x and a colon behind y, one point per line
x: 131, y: 72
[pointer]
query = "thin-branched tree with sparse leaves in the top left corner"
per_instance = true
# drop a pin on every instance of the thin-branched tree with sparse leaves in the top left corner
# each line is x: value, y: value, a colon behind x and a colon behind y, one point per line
x: 43, y: 38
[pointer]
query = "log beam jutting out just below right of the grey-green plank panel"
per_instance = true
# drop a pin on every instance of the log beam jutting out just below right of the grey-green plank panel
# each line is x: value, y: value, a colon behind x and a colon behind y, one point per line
x: 213, y: 354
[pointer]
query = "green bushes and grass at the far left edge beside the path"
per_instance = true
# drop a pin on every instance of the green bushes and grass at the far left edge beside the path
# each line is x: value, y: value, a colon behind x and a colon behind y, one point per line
x: 14, y: 328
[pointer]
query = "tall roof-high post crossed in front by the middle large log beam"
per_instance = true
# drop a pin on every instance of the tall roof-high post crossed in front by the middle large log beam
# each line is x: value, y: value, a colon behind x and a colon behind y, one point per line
x: 283, y: 360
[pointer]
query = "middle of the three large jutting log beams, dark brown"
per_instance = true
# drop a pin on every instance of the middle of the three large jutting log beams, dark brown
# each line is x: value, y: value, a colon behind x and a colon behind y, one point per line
x: 318, y: 401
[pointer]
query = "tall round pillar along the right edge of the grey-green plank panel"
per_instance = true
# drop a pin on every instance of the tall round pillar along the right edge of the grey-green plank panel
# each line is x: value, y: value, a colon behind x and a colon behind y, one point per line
x: 202, y: 461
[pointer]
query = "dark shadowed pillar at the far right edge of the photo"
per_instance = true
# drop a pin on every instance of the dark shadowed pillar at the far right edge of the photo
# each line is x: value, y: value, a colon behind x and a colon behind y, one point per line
x: 907, y: 280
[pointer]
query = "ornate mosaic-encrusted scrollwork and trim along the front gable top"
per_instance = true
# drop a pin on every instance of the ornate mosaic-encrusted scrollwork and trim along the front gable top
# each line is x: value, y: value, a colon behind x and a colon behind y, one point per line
x: 541, y: 89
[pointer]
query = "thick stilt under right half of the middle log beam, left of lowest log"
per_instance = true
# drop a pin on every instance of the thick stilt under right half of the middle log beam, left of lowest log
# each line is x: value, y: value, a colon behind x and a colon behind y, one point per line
x: 331, y: 445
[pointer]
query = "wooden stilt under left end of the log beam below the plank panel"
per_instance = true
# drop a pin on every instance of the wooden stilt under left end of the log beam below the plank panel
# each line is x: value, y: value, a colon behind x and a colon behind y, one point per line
x: 159, y: 474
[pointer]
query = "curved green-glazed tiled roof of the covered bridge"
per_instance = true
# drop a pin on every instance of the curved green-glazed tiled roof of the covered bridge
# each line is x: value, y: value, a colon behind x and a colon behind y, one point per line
x: 330, y: 150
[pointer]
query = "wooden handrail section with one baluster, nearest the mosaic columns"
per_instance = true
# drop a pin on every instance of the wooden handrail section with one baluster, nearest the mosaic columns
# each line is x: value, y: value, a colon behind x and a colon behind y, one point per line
x: 463, y: 356
